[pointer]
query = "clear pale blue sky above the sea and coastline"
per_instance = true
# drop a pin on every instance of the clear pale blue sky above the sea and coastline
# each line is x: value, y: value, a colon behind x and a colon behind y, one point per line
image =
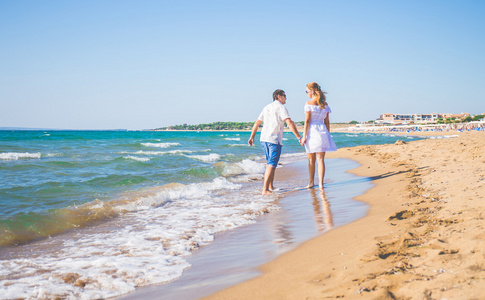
x: 147, y: 64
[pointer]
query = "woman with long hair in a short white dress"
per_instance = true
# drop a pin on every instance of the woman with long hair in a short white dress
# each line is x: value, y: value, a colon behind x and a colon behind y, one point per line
x: 316, y: 135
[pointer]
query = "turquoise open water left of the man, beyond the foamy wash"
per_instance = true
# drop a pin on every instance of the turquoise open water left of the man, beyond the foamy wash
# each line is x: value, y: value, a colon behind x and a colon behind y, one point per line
x: 46, y: 171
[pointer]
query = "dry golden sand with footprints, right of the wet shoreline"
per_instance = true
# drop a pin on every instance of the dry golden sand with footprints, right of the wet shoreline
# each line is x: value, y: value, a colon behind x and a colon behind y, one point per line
x: 423, y: 237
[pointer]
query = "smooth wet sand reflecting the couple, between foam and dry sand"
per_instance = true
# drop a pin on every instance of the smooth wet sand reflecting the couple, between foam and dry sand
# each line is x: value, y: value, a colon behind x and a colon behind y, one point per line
x: 235, y: 255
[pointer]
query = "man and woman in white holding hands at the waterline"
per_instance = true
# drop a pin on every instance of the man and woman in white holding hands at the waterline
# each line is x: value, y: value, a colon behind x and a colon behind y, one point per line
x: 316, y: 135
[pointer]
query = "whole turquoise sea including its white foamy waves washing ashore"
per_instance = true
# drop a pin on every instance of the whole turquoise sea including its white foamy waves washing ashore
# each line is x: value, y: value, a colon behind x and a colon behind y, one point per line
x: 99, y: 214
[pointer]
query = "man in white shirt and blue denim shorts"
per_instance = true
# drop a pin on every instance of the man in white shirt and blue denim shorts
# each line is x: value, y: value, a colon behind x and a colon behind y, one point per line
x: 274, y: 116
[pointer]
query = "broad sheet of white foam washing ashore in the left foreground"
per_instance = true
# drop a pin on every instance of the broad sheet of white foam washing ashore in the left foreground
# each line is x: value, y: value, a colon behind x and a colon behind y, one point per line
x: 151, y: 251
